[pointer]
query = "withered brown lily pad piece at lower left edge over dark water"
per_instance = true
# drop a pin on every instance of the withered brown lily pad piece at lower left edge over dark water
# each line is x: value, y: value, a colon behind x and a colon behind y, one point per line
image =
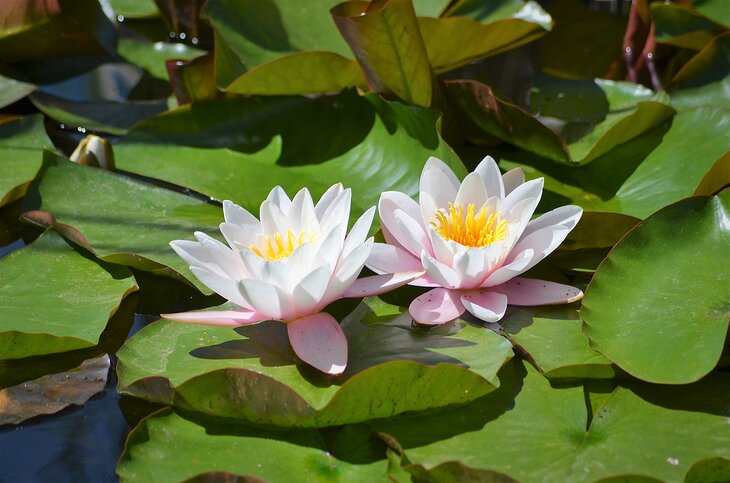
x: 50, y: 393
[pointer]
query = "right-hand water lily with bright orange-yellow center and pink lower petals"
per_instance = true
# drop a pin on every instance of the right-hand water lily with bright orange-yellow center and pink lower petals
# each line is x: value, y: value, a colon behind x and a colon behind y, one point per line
x: 473, y: 239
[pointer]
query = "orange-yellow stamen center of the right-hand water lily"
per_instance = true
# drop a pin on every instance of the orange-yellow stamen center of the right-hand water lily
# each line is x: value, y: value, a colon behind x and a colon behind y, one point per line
x: 470, y: 229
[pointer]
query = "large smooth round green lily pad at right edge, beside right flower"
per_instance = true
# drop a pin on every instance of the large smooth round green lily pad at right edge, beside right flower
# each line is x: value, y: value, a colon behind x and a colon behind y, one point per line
x: 663, y: 293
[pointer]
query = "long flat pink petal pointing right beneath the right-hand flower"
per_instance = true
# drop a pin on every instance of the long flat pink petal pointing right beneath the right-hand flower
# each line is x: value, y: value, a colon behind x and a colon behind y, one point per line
x: 528, y: 291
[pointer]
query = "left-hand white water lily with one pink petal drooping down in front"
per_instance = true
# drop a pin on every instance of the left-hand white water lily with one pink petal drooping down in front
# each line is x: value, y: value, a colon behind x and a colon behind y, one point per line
x: 288, y: 267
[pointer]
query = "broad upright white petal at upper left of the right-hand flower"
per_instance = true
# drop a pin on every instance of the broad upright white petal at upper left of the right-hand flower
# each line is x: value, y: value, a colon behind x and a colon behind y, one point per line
x: 438, y: 187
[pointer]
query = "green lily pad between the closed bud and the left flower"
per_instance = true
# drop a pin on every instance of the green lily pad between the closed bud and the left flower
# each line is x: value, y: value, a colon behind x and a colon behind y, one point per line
x: 120, y: 219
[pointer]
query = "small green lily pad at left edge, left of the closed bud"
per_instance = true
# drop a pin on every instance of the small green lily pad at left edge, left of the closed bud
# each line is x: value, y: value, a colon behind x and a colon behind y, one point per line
x: 21, y: 155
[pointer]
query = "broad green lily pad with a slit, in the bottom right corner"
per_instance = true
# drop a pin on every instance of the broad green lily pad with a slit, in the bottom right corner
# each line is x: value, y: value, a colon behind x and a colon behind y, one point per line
x: 637, y: 433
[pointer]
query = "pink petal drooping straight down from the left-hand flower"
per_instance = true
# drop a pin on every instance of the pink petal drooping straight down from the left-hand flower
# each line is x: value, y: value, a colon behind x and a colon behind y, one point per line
x: 319, y: 341
